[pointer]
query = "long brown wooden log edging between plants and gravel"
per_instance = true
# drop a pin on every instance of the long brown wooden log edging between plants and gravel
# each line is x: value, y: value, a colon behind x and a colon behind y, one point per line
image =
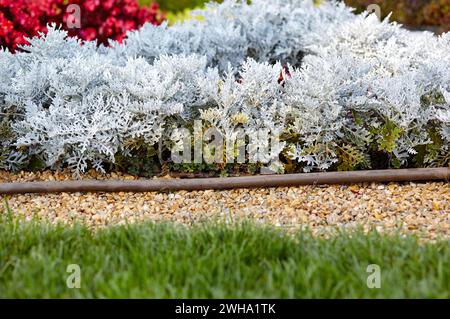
x: 260, y: 181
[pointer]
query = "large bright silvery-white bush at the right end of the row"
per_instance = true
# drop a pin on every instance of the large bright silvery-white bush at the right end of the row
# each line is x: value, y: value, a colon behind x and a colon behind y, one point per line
x: 378, y: 72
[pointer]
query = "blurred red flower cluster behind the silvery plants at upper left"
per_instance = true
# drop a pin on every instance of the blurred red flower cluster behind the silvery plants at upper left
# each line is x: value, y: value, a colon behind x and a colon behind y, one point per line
x: 99, y: 19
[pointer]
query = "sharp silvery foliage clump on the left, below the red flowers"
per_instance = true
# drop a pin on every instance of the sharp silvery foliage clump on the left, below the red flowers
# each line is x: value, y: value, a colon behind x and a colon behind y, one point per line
x: 80, y: 107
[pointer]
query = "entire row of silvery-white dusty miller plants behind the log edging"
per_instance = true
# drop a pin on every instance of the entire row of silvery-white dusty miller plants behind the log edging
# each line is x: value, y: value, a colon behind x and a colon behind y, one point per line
x: 336, y: 86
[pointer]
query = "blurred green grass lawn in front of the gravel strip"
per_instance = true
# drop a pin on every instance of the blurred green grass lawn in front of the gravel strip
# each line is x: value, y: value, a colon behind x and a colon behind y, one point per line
x: 213, y: 261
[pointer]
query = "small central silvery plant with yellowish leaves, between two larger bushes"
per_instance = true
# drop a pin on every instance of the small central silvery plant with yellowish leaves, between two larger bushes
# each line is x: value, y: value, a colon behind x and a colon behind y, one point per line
x: 252, y: 106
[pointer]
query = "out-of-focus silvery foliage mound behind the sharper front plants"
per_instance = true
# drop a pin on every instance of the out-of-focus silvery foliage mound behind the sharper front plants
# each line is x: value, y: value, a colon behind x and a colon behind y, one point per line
x: 228, y: 33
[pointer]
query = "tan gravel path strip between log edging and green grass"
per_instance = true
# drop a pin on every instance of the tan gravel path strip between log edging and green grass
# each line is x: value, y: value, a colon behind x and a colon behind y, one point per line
x: 423, y: 209
